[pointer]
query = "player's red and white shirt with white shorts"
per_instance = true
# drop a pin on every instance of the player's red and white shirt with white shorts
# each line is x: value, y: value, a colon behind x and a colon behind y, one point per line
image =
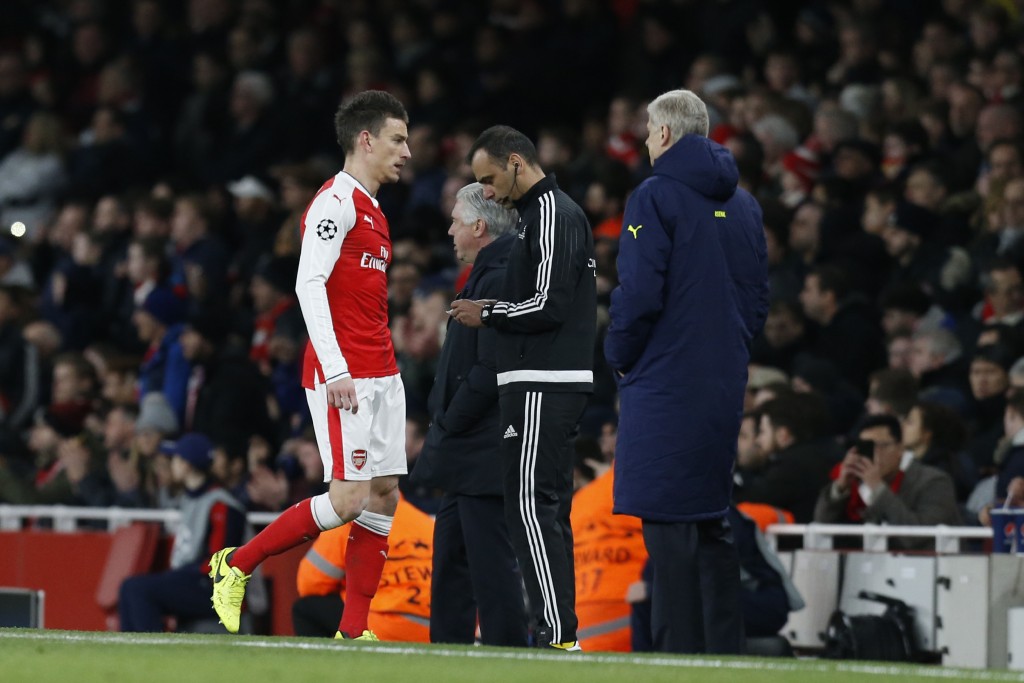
x: 343, y: 289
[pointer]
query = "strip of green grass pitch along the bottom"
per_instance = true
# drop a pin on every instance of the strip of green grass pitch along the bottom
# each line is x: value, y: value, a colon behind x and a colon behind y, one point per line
x: 42, y: 657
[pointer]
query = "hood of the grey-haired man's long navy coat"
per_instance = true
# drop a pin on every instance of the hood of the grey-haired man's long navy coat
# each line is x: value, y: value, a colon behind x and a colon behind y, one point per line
x: 703, y: 165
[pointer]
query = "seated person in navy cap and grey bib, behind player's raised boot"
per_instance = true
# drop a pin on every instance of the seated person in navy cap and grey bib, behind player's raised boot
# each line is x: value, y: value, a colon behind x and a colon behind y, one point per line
x: 210, y: 518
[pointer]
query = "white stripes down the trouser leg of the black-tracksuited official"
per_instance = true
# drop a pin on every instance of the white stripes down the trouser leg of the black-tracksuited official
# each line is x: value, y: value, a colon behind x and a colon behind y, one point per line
x: 528, y: 511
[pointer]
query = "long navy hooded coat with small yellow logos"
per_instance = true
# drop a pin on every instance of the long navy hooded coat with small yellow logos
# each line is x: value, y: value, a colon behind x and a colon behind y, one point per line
x: 694, y: 292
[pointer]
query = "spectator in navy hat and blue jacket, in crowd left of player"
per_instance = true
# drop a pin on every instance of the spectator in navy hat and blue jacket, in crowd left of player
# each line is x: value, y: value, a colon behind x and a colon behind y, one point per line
x: 158, y: 323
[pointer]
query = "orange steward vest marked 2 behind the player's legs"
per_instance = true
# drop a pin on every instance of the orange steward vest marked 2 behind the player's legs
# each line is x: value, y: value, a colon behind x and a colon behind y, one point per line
x: 401, y: 611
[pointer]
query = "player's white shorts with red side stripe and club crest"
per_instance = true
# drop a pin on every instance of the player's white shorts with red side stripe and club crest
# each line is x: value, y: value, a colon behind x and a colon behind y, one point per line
x: 369, y: 444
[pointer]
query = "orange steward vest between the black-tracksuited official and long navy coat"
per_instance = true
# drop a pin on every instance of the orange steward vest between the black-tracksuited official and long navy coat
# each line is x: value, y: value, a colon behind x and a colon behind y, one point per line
x: 610, y: 557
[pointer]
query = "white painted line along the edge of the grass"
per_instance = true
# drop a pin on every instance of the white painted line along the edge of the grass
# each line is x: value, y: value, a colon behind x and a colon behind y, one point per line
x: 681, y: 662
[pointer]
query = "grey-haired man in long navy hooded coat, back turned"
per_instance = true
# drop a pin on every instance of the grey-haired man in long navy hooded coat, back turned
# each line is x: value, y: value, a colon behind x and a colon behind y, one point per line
x: 694, y: 274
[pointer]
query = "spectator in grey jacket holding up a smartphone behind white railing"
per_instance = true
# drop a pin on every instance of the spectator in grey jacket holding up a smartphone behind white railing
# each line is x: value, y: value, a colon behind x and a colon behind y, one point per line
x: 879, y: 483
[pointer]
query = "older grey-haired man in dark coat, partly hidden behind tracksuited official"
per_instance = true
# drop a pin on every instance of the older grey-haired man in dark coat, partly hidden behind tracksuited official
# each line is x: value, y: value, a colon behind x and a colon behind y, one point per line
x: 475, y: 567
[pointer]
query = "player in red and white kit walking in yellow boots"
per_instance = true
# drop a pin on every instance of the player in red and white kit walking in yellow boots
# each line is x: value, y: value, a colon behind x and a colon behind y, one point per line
x: 353, y: 385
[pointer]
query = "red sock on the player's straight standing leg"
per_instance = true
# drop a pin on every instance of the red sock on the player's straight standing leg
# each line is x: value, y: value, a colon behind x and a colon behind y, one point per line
x: 365, y: 560
